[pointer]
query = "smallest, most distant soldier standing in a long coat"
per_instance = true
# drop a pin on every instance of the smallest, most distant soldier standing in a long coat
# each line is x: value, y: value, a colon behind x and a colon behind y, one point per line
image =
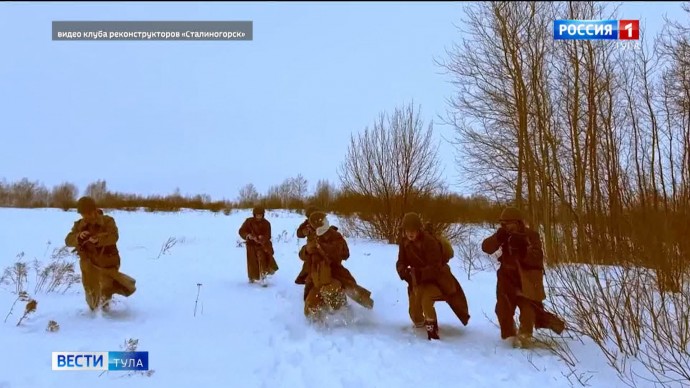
x: 256, y: 231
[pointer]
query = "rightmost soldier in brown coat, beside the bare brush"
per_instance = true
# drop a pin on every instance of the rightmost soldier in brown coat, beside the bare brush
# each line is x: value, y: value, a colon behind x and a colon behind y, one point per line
x: 520, y: 279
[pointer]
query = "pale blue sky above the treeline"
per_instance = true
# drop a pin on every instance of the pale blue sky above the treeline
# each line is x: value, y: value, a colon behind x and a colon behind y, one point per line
x: 209, y: 117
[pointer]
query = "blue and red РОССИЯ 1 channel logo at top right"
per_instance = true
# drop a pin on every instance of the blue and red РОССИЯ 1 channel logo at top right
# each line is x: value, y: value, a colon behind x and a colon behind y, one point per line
x: 596, y: 29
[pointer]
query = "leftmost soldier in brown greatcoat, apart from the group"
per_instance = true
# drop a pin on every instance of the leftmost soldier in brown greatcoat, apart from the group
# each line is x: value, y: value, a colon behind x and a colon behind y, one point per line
x: 95, y: 237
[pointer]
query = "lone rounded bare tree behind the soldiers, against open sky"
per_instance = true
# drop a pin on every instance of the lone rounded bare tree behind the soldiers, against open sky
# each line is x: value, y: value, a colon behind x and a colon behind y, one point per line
x: 390, y: 165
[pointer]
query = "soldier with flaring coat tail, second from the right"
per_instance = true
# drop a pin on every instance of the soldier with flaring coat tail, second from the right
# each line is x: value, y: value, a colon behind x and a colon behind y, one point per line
x: 421, y: 265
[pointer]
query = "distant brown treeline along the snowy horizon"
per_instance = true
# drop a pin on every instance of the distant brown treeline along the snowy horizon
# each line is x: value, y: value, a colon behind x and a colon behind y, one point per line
x: 290, y: 195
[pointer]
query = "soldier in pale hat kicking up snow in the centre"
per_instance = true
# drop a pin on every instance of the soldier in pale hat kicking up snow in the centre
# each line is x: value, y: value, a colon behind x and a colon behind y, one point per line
x: 325, y: 251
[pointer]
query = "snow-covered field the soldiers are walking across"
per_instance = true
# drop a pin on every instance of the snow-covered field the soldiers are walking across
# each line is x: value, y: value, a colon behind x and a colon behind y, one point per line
x: 247, y: 336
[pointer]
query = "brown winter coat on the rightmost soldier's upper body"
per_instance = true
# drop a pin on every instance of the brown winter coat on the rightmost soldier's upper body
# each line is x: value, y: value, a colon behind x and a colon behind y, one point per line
x: 527, y: 266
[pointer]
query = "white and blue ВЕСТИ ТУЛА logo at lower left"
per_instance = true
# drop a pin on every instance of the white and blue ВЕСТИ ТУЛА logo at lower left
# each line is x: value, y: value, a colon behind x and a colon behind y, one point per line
x: 110, y: 361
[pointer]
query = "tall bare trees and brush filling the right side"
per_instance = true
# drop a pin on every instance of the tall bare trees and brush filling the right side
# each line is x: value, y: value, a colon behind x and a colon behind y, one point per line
x: 592, y: 139
